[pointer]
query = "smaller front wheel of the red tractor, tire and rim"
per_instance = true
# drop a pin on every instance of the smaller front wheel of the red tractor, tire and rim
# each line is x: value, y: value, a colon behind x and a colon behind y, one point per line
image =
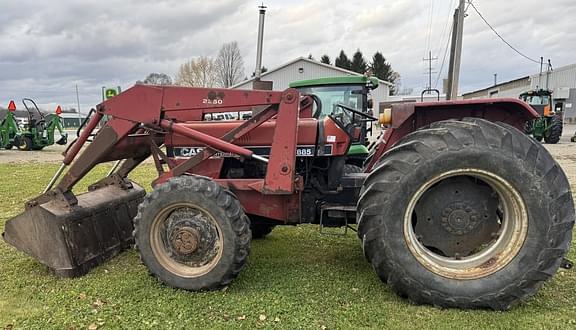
x: 192, y: 234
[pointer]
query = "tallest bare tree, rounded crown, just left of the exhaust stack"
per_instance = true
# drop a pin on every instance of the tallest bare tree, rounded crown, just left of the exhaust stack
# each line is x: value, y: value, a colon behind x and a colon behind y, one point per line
x: 229, y: 65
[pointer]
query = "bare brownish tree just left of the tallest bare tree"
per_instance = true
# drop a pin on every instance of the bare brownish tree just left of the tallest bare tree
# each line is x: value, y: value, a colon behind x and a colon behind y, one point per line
x: 200, y: 72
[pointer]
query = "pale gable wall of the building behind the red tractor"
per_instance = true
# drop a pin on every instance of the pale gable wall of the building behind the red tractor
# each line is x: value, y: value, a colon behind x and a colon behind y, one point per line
x: 301, y: 70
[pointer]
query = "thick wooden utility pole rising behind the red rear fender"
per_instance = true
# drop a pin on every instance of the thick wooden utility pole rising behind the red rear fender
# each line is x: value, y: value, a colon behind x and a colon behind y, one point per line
x: 456, y: 52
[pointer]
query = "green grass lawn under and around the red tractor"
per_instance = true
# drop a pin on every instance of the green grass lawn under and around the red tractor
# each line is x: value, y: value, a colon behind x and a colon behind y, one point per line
x: 295, y: 278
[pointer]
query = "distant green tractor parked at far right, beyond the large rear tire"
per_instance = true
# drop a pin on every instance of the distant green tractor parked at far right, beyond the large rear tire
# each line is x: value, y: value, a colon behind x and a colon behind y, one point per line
x: 549, y: 125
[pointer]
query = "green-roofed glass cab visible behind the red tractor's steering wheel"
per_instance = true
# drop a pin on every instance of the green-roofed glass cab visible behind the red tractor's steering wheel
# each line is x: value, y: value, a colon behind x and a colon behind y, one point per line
x: 348, y: 102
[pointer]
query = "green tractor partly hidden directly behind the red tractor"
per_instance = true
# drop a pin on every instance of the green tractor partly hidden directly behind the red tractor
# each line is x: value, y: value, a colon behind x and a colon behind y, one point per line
x: 349, y: 91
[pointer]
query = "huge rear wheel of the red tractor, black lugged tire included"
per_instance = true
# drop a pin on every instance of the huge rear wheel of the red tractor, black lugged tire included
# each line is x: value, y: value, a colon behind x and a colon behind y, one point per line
x: 533, y: 198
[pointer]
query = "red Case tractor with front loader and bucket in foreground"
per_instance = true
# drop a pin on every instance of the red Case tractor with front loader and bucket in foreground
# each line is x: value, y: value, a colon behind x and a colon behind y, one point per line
x: 454, y: 207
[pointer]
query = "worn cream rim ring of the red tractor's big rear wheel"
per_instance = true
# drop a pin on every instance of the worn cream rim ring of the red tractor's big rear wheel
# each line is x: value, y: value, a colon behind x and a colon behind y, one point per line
x: 492, y: 258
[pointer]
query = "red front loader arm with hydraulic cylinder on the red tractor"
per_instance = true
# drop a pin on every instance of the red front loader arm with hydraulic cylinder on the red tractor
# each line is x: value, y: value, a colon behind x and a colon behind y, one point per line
x: 162, y: 113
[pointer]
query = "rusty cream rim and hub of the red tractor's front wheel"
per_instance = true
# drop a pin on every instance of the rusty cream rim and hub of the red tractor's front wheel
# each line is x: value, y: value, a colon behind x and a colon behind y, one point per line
x: 174, y: 246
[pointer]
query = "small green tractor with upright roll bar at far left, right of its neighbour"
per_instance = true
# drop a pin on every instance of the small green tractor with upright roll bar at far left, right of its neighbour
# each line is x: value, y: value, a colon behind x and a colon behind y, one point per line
x: 39, y: 132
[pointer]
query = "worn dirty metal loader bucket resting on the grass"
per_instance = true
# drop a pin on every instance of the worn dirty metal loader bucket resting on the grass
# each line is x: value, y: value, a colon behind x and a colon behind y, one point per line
x: 71, y: 240
